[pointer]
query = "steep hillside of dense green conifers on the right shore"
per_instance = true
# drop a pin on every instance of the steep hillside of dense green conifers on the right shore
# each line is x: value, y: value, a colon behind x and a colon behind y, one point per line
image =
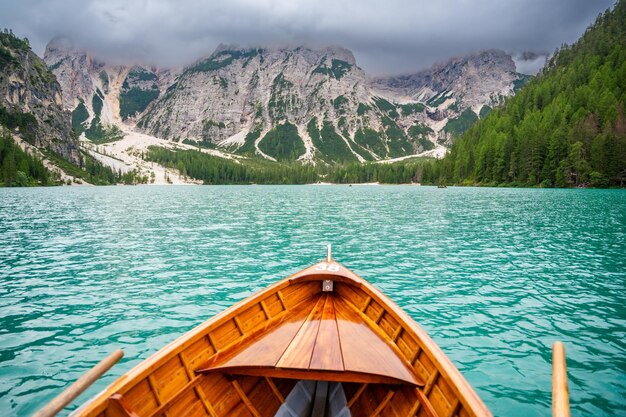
x: 566, y: 128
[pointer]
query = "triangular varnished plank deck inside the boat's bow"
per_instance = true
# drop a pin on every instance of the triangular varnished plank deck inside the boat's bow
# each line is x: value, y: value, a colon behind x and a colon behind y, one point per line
x: 332, y: 339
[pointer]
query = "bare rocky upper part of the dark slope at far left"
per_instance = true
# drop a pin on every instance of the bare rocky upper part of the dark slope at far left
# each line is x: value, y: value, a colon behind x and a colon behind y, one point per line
x: 30, y: 92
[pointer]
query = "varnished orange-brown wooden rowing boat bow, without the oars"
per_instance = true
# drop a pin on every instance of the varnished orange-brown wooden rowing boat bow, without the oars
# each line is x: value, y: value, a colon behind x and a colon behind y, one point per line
x: 322, y: 342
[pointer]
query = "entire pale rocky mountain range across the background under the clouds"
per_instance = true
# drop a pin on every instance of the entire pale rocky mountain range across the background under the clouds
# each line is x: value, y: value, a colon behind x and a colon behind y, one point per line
x: 283, y: 103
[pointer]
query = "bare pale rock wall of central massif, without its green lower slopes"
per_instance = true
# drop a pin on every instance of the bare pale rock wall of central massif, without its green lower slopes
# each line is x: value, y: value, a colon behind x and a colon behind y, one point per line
x: 250, y: 91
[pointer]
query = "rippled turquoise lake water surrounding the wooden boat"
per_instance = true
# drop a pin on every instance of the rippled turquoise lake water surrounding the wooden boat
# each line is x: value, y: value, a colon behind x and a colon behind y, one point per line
x: 495, y: 276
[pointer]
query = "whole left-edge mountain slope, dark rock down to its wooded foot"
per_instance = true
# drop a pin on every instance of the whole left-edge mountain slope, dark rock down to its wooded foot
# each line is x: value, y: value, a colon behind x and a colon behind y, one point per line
x: 38, y: 145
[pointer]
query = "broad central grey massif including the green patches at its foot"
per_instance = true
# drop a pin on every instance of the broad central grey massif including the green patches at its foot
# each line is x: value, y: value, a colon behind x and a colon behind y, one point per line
x: 237, y: 97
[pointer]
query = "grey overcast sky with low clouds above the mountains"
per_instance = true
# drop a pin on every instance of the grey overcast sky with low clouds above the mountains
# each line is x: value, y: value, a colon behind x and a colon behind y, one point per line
x: 387, y: 37
